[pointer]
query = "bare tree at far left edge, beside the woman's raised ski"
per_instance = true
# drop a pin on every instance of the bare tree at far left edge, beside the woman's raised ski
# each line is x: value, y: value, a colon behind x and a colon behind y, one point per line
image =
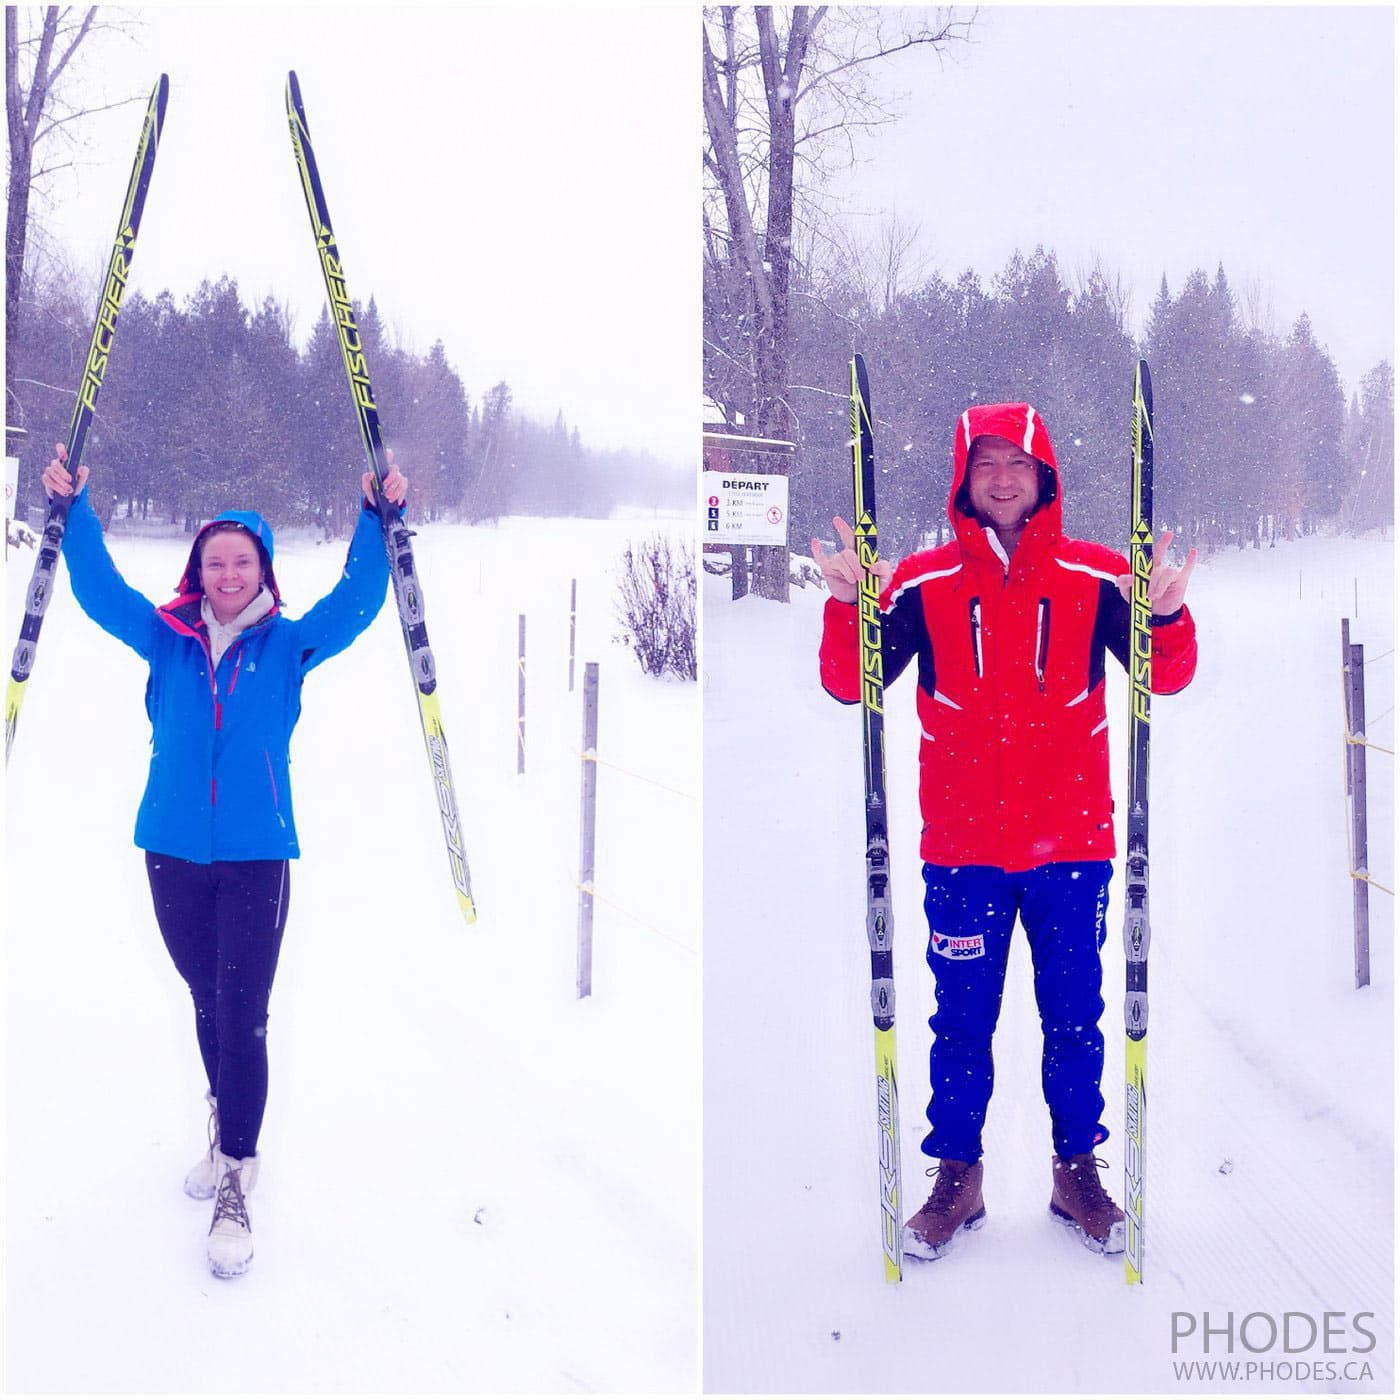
x: 40, y: 72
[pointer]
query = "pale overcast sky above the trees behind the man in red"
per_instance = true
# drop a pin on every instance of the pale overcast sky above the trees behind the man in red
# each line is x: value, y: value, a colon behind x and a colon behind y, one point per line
x: 1161, y: 139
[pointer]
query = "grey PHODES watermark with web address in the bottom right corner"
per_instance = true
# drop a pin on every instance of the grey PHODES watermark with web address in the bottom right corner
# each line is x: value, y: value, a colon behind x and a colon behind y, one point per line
x: 1268, y: 1346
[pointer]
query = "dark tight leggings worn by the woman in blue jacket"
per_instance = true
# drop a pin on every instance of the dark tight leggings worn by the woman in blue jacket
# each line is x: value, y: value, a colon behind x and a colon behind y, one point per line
x: 223, y: 927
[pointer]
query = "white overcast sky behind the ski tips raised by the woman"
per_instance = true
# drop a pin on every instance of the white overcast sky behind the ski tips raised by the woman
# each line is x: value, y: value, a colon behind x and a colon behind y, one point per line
x: 521, y: 184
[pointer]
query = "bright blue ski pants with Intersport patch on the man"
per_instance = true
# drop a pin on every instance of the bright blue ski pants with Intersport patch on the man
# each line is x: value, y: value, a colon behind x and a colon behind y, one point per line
x: 972, y: 913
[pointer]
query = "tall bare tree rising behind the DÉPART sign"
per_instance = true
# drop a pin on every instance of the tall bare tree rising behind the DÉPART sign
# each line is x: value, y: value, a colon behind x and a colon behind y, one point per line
x: 786, y: 100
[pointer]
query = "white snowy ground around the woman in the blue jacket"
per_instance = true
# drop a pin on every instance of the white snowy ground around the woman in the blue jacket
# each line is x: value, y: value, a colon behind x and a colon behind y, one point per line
x: 472, y: 1181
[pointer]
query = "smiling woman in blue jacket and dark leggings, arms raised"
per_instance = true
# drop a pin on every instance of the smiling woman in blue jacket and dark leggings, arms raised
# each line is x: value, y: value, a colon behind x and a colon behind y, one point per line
x: 216, y: 824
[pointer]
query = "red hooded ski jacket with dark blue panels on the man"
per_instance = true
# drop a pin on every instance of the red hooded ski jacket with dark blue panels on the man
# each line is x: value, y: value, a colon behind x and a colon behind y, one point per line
x: 1014, y: 759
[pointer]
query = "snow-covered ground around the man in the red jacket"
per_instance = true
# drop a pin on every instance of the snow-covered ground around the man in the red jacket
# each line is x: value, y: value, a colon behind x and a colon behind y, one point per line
x: 1270, y: 1140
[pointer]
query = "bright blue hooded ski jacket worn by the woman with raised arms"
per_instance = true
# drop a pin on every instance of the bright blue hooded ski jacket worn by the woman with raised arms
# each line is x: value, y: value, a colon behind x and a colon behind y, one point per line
x: 219, y: 789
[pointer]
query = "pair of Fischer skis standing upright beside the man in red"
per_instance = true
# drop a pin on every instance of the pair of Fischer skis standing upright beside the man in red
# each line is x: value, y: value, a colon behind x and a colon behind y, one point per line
x: 878, y: 913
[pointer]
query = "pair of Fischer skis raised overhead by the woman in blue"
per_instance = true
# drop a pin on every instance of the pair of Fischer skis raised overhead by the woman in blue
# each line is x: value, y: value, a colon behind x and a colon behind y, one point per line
x: 397, y: 537
